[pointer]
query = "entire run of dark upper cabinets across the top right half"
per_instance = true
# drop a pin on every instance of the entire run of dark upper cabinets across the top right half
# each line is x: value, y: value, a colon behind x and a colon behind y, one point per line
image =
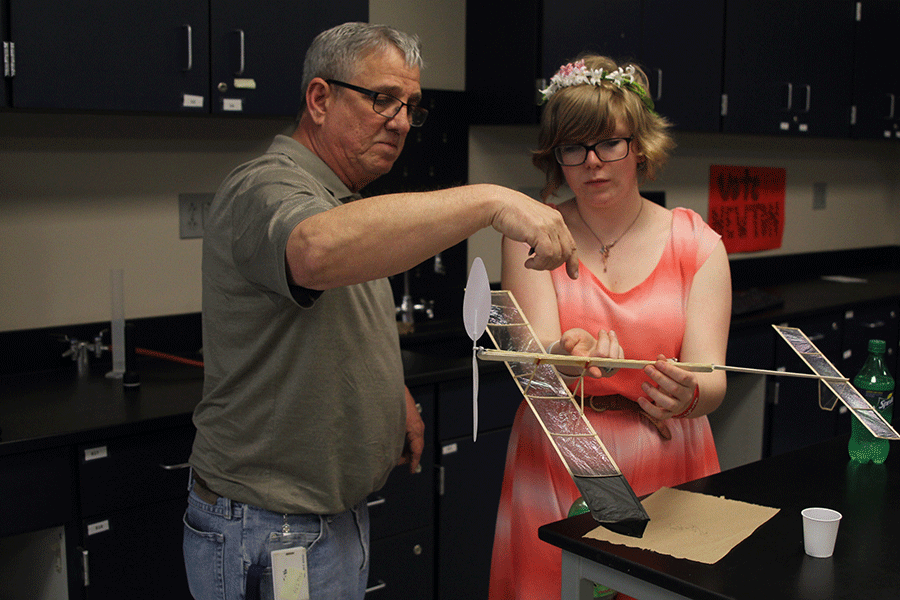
x: 809, y: 68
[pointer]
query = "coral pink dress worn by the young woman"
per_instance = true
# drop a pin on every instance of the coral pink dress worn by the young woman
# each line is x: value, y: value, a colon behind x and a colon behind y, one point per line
x: 649, y: 319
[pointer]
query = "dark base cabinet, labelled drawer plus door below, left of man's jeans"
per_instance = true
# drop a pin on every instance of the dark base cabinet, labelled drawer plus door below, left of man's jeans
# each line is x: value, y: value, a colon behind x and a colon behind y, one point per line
x: 133, y: 493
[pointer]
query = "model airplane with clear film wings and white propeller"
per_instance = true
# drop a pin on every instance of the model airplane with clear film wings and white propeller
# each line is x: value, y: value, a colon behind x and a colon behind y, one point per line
x: 607, y: 493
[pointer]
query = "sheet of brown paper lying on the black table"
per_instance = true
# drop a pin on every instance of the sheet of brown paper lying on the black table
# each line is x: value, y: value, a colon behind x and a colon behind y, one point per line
x: 690, y: 525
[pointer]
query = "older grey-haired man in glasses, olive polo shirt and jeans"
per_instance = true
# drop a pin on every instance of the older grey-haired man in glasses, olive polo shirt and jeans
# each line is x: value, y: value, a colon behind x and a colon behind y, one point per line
x: 304, y: 411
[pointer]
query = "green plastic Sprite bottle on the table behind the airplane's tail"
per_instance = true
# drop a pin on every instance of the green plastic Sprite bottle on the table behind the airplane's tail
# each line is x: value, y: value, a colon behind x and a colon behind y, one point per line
x: 876, y: 385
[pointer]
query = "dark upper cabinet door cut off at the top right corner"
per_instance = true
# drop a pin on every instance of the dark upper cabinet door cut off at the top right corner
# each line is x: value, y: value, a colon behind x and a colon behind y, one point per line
x: 876, y: 71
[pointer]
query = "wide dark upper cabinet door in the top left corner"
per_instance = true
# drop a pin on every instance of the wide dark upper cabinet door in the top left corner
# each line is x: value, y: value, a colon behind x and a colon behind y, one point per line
x: 109, y: 55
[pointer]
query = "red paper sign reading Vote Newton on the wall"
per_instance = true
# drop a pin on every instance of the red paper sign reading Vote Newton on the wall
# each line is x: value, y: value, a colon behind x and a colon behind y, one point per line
x: 746, y: 206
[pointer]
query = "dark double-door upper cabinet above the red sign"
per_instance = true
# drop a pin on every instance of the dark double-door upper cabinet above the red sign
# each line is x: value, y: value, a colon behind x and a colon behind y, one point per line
x: 788, y: 67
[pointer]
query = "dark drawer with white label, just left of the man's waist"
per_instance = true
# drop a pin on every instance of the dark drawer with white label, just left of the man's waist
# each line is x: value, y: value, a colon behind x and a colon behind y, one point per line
x: 133, y: 470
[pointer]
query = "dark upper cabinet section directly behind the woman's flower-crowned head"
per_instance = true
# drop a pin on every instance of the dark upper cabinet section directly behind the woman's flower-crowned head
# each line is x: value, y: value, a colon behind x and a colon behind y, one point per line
x: 513, y: 51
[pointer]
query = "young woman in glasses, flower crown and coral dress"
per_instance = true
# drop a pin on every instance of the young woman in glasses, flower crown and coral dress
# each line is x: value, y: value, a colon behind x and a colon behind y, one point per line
x: 654, y: 284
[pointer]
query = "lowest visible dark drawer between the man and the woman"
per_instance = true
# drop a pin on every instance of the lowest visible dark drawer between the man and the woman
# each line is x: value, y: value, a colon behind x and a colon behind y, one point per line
x: 402, y: 567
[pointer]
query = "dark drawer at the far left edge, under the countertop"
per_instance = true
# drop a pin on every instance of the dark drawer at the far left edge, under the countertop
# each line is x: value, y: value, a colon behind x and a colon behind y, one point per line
x: 37, y: 490
